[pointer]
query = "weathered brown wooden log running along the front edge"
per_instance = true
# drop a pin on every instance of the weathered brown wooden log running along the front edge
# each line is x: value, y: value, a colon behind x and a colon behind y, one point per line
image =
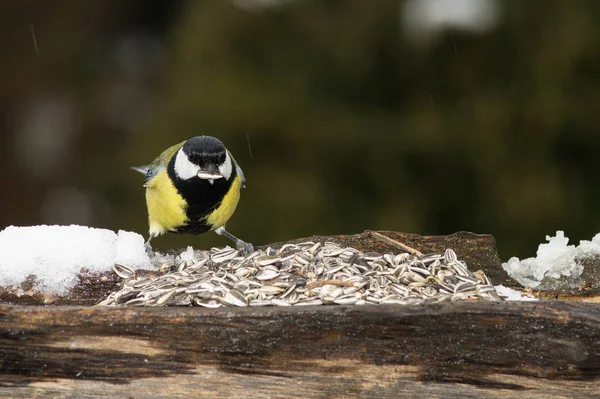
x: 451, y: 350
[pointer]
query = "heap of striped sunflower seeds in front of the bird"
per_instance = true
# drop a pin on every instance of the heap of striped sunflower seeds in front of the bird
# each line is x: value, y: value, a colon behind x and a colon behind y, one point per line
x: 303, y: 274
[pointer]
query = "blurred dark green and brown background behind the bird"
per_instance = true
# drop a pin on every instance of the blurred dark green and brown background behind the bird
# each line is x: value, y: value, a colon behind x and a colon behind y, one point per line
x: 420, y: 116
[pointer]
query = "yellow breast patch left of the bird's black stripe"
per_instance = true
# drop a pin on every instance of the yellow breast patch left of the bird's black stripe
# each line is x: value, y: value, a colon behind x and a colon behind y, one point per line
x: 166, y: 208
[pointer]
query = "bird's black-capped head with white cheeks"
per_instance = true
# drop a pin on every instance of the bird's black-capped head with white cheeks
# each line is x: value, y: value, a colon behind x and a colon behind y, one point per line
x: 203, y: 157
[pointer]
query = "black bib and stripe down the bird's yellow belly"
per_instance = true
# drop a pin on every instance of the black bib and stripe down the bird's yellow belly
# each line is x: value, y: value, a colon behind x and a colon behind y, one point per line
x: 202, y: 198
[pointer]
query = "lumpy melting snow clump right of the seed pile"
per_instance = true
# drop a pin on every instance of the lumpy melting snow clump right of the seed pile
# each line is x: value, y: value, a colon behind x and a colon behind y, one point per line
x: 557, y: 264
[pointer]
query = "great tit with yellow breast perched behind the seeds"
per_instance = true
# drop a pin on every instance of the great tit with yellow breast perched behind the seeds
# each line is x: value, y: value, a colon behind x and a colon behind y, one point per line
x: 193, y: 187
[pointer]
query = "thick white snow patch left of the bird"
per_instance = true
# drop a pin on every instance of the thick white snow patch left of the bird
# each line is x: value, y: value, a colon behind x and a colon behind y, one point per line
x: 55, y: 254
